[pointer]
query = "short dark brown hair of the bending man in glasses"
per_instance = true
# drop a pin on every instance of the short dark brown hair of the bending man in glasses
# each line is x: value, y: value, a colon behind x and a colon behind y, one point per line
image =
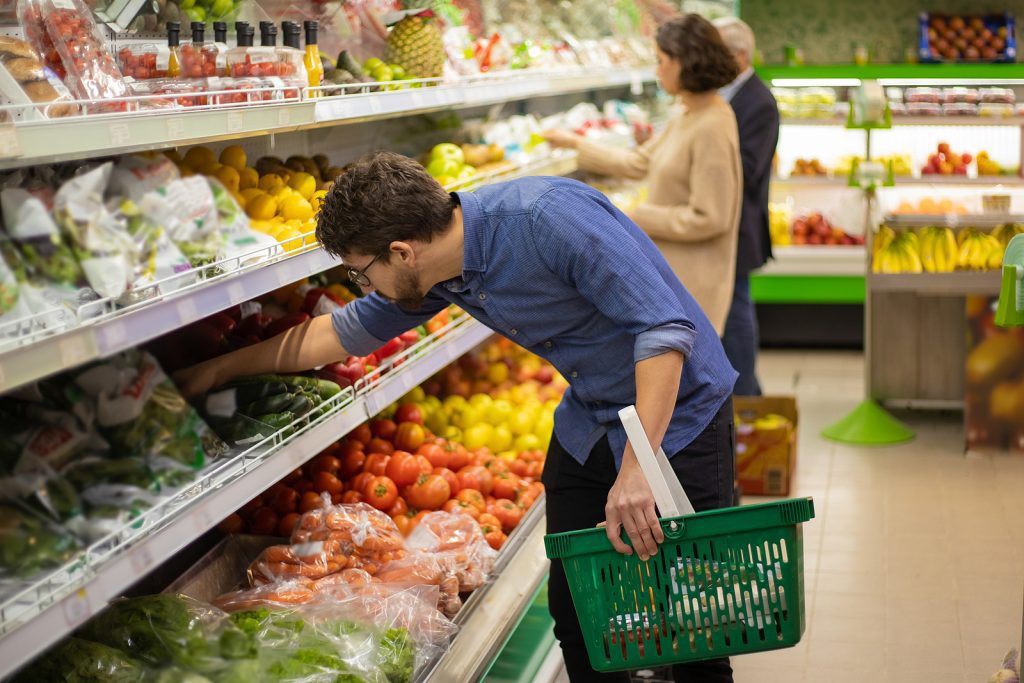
x: 383, y: 198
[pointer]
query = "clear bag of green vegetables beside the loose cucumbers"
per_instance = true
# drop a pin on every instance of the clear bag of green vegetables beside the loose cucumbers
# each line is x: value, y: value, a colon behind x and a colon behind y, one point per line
x: 141, y: 413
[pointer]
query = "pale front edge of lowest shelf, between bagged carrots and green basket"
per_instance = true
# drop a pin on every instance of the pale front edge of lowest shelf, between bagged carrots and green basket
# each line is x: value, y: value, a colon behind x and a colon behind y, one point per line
x: 493, y: 612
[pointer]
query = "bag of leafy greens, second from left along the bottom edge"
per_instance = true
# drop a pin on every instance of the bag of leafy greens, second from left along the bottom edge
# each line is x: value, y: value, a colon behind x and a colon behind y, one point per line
x: 173, y: 630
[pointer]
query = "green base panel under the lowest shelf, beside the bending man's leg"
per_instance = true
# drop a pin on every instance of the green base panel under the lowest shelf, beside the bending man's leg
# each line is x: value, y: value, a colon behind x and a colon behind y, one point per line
x: 529, y: 646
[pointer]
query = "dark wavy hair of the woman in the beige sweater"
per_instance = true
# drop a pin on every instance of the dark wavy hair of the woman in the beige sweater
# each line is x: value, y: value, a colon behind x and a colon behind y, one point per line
x: 707, y: 63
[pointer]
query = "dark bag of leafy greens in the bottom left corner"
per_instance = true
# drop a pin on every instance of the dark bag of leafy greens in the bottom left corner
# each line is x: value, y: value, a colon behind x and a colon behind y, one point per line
x: 80, y: 660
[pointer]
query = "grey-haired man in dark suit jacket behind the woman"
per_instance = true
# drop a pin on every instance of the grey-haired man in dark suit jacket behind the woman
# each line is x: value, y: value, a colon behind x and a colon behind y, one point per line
x: 757, y: 118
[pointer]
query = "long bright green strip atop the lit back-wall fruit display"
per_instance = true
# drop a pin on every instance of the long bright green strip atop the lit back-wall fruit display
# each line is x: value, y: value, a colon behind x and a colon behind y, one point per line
x: 955, y: 71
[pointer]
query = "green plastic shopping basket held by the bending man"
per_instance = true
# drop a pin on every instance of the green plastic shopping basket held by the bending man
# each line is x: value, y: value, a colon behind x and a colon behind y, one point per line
x: 726, y: 582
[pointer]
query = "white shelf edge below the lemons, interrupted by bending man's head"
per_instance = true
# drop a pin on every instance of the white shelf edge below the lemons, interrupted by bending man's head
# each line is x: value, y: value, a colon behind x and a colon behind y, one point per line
x: 109, y: 330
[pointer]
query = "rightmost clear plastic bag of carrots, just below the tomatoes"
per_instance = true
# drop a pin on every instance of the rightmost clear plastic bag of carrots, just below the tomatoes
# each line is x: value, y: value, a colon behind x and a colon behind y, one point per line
x: 458, y: 544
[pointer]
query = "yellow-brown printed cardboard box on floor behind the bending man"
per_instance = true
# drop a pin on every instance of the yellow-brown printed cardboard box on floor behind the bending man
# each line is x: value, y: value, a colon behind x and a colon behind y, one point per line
x: 766, y: 450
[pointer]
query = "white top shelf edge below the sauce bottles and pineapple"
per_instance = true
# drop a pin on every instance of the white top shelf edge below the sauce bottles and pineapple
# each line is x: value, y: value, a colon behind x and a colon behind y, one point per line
x: 83, y: 137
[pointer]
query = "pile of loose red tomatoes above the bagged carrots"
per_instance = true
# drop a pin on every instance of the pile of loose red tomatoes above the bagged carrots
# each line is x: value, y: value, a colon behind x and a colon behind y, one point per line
x: 399, y: 467
